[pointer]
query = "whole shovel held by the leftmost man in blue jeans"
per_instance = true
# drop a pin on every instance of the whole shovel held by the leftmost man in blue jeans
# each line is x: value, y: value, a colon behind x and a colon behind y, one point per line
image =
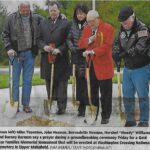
x: 11, y: 106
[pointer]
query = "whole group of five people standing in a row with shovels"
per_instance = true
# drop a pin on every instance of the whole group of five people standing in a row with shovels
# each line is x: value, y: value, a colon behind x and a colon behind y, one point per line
x: 90, y: 41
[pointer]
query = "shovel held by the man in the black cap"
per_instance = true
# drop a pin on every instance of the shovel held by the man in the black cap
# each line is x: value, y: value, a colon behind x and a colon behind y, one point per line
x: 122, y: 114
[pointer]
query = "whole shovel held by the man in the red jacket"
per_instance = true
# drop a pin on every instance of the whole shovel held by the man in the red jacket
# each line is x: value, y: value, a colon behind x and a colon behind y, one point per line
x: 91, y: 110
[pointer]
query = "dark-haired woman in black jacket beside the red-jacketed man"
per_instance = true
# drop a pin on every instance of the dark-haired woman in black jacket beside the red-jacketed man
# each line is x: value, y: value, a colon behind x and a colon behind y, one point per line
x: 78, y: 23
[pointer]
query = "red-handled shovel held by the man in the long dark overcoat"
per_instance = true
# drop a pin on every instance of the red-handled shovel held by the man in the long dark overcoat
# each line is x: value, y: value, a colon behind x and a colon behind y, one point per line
x: 48, y: 102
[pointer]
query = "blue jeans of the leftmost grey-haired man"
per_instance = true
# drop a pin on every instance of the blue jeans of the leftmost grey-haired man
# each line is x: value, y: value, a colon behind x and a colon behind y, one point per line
x: 23, y: 62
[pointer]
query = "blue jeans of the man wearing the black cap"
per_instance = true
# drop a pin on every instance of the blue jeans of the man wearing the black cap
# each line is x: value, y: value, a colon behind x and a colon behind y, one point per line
x: 136, y: 80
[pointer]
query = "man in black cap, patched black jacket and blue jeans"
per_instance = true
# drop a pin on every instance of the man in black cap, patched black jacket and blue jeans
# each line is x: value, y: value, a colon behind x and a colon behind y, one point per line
x: 131, y: 45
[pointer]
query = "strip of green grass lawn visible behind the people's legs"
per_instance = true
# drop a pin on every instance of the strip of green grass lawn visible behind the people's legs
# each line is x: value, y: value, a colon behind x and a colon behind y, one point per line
x: 4, y: 80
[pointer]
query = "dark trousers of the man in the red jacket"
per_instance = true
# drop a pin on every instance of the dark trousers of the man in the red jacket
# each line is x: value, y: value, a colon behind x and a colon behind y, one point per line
x: 105, y: 87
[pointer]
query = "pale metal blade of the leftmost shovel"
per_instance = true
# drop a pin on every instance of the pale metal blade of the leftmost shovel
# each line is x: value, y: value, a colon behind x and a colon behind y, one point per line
x: 10, y: 109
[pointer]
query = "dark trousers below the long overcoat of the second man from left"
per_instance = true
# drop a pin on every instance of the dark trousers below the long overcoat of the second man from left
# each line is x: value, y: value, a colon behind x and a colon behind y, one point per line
x: 59, y: 92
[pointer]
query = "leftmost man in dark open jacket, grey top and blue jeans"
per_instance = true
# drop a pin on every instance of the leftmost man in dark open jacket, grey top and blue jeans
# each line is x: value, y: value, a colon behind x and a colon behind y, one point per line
x: 19, y: 35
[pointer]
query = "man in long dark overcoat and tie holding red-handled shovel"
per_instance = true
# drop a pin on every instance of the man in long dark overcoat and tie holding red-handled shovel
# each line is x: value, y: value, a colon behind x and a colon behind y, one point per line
x: 53, y: 34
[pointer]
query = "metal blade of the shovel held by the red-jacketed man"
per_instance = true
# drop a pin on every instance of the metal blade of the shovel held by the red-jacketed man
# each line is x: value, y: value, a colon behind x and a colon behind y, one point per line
x: 90, y: 114
